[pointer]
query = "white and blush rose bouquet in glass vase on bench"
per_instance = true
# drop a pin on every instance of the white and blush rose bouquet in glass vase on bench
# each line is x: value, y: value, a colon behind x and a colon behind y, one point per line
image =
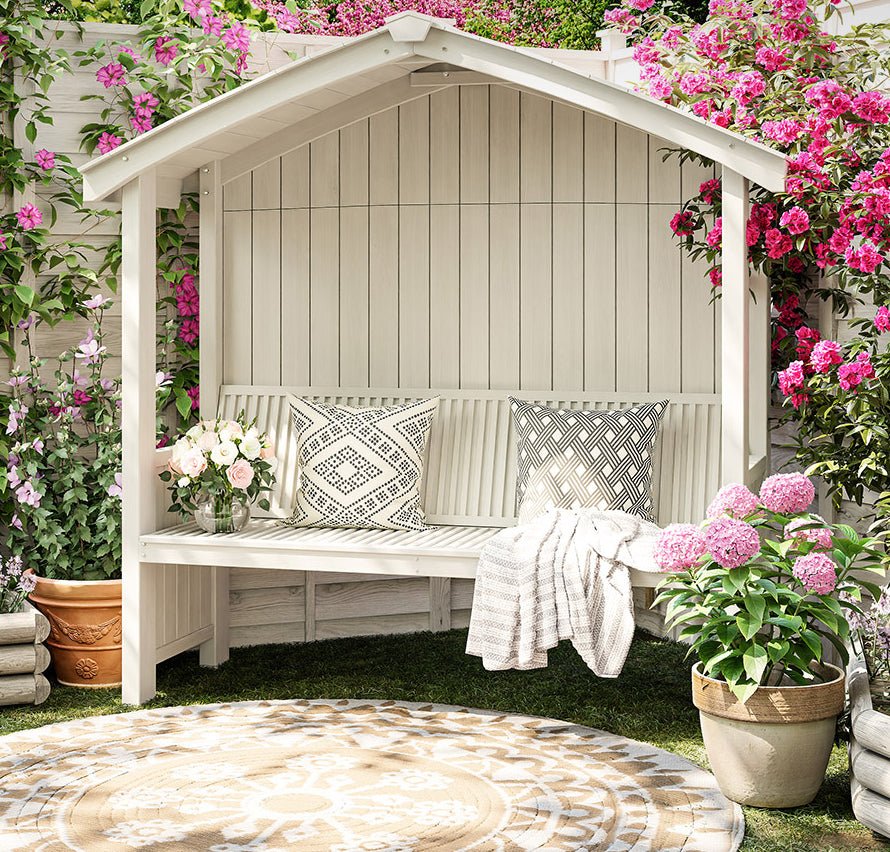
x: 217, y: 469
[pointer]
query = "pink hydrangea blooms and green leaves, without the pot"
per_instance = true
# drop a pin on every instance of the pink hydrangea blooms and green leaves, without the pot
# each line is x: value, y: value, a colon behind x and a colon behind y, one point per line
x: 761, y: 582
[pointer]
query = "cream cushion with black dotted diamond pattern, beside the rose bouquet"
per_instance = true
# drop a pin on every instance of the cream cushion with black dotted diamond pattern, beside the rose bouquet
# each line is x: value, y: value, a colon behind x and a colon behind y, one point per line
x: 360, y: 467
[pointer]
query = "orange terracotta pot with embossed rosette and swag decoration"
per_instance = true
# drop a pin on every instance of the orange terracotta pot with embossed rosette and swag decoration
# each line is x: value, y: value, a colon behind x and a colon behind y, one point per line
x: 85, y: 629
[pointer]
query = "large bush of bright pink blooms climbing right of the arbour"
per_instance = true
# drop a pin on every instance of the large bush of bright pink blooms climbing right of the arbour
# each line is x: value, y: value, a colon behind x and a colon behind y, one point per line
x: 768, y: 70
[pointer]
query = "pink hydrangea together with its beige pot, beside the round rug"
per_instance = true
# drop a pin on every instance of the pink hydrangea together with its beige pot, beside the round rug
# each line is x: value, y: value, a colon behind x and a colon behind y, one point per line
x: 759, y: 589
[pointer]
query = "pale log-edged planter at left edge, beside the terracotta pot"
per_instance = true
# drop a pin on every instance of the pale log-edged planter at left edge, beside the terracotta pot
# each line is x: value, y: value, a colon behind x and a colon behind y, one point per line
x: 22, y: 657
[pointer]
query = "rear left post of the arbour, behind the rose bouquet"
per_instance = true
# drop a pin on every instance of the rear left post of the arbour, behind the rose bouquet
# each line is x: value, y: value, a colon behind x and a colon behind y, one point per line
x: 215, y: 650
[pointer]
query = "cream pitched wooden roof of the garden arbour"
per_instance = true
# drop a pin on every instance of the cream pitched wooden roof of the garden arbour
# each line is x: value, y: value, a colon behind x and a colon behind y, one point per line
x: 407, y: 58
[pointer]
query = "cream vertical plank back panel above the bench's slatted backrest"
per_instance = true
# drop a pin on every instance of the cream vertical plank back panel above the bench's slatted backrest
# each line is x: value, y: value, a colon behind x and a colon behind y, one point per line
x: 479, y: 237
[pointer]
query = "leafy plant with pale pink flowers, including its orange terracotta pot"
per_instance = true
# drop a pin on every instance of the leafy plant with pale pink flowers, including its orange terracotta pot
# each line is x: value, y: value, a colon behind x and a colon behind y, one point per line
x: 63, y: 470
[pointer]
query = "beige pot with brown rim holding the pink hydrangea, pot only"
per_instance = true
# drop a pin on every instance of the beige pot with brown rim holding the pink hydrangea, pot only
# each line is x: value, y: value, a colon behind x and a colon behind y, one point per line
x: 772, y: 751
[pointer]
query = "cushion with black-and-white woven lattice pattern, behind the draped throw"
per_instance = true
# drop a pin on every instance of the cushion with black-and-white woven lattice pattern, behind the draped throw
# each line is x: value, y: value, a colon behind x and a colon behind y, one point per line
x: 572, y: 459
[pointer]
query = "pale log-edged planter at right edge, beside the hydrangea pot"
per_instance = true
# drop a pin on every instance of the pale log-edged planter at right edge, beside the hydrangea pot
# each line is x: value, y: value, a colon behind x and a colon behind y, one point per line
x: 869, y: 752
